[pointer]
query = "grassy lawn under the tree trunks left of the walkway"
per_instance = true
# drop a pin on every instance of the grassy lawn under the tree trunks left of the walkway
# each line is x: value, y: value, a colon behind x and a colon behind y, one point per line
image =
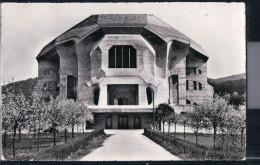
x: 28, y: 146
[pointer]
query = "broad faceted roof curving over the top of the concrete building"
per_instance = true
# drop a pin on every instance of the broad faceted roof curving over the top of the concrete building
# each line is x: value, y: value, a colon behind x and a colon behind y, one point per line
x: 95, y: 22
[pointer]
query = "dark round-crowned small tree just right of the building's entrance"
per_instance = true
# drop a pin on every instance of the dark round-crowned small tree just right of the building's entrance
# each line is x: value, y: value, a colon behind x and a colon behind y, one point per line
x: 162, y: 111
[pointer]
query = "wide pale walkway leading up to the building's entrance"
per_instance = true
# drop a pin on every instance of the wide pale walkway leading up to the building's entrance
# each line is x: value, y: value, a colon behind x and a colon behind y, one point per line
x: 128, y: 145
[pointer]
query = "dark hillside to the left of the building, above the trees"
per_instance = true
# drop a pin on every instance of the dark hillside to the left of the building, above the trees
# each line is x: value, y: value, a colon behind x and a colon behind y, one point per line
x: 25, y: 86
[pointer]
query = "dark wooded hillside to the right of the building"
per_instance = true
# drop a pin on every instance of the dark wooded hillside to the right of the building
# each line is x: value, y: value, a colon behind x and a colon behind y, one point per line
x: 230, y: 84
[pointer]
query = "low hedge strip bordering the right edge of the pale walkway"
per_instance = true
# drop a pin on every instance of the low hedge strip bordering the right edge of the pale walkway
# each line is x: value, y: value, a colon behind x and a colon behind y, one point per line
x: 181, y: 147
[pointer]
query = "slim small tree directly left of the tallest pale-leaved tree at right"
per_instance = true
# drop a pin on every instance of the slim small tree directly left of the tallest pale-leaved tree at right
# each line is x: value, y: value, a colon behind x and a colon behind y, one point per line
x: 197, y: 116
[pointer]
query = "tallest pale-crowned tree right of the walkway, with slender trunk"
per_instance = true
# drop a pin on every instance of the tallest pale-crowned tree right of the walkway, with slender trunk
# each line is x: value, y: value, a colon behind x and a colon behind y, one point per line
x: 214, y: 110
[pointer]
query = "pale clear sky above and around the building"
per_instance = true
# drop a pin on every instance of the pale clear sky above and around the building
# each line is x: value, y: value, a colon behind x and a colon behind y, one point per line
x: 27, y: 27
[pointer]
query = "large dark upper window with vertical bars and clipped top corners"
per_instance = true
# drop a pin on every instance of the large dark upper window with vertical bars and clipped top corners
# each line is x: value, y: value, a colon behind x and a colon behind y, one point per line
x: 122, y: 56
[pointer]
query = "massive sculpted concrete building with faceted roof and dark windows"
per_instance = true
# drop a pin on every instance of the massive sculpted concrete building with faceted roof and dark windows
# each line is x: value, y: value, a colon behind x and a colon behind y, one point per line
x: 115, y: 64
